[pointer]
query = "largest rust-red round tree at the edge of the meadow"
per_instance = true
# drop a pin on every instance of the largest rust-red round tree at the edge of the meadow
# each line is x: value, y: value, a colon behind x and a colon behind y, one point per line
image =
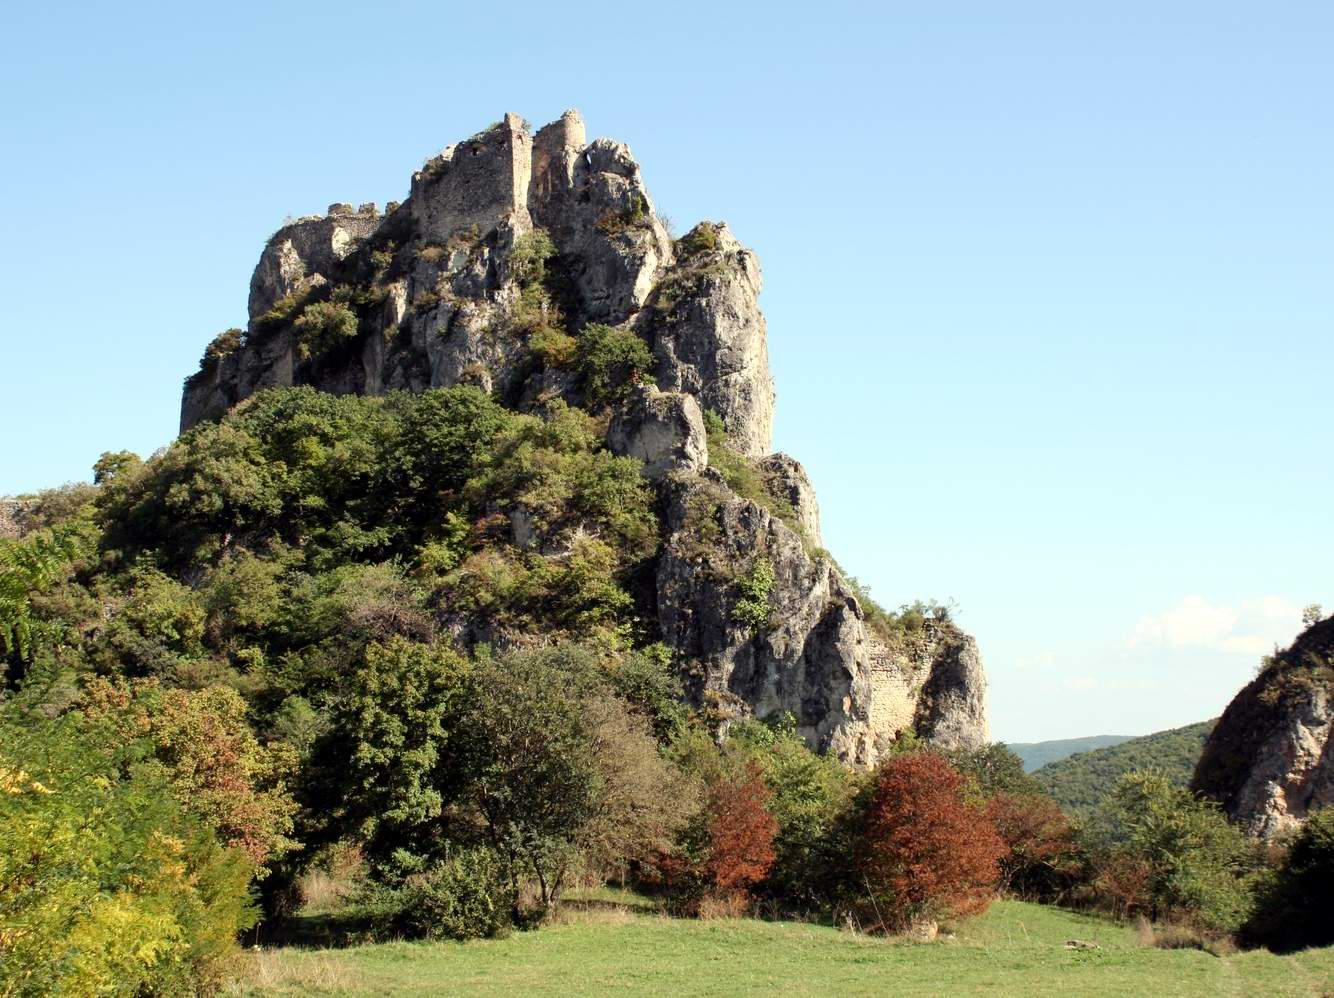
x: 924, y: 851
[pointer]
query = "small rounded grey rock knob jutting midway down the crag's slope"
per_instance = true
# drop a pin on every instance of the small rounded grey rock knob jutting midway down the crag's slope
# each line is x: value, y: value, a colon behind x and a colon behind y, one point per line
x: 665, y: 430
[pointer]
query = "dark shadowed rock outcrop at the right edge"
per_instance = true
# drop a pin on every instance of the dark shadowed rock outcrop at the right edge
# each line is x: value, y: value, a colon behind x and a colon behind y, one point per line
x: 1271, y: 759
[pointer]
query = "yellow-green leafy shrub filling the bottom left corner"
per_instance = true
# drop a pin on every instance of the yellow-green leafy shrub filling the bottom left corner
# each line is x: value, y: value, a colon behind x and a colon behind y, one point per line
x: 107, y: 887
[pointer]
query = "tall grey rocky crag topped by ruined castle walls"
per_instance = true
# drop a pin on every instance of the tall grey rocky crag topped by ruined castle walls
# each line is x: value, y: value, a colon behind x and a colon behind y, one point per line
x: 536, y: 268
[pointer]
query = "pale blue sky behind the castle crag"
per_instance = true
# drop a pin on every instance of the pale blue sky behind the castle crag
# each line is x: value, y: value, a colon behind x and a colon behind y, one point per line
x: 1051, y: 286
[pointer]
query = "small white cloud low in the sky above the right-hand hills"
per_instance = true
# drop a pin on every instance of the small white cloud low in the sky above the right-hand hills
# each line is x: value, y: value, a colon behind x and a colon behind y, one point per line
x: 1252, y: 628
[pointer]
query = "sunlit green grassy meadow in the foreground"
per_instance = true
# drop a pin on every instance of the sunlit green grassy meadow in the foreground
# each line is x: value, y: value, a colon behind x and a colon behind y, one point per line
x: 608, y: 948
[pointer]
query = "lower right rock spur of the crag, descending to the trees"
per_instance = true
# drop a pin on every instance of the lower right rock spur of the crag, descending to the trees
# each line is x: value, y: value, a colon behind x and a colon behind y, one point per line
x: 852, y: 692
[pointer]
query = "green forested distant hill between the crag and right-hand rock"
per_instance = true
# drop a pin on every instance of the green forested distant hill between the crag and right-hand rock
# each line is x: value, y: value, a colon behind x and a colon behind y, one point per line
x: 1083, y: 781
